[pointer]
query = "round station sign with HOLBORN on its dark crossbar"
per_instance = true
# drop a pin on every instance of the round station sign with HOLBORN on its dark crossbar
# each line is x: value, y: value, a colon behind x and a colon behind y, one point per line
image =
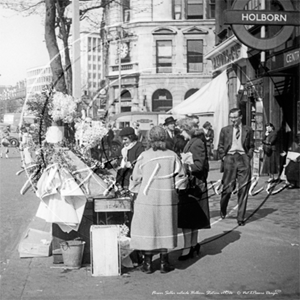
x: 238, y: 17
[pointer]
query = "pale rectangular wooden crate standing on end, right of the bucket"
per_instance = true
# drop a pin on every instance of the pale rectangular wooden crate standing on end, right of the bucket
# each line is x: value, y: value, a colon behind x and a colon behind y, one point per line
x: 105, y: 250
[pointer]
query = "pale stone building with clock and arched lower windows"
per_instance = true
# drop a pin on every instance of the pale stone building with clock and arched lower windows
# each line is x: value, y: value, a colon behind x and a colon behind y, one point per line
x: 154, y: 52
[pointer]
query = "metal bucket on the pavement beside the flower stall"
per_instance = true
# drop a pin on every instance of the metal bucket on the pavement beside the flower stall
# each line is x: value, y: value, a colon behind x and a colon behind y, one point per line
x: 72, y: 252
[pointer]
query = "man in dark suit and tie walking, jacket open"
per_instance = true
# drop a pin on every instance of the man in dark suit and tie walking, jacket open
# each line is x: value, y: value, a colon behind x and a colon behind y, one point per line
x: 236, y: 146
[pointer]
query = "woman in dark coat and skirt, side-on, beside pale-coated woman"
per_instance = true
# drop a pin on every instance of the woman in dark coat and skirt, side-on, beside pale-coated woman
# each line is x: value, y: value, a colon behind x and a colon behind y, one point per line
x: 193, y: 208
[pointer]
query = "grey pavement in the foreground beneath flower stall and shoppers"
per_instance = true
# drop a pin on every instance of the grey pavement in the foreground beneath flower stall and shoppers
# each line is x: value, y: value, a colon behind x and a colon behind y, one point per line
x: 257, y: 261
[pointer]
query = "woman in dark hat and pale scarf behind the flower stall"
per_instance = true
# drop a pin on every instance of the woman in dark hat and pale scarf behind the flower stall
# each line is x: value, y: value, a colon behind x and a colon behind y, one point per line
x: 131, y: 150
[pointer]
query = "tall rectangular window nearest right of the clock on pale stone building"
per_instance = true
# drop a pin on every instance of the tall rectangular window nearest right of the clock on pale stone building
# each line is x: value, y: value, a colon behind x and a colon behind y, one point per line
x: 164, y: 56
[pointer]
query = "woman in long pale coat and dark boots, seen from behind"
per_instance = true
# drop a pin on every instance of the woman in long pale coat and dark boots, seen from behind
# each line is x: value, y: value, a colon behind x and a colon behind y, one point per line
x: 156, y: 176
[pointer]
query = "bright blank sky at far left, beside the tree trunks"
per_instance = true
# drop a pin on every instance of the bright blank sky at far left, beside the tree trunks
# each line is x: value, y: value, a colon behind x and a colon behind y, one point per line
x: 22, y: 45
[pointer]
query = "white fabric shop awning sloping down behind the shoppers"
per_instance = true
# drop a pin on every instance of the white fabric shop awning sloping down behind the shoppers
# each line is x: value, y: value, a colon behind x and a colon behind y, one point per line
x: 210, y: 99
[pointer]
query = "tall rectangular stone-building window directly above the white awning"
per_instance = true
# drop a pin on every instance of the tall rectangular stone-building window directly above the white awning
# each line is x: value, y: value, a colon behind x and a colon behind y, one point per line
x: 194, y: 56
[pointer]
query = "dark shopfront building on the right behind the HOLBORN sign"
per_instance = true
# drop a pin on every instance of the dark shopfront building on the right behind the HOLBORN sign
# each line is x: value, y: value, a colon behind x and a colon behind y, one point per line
x: 263, y: 84
